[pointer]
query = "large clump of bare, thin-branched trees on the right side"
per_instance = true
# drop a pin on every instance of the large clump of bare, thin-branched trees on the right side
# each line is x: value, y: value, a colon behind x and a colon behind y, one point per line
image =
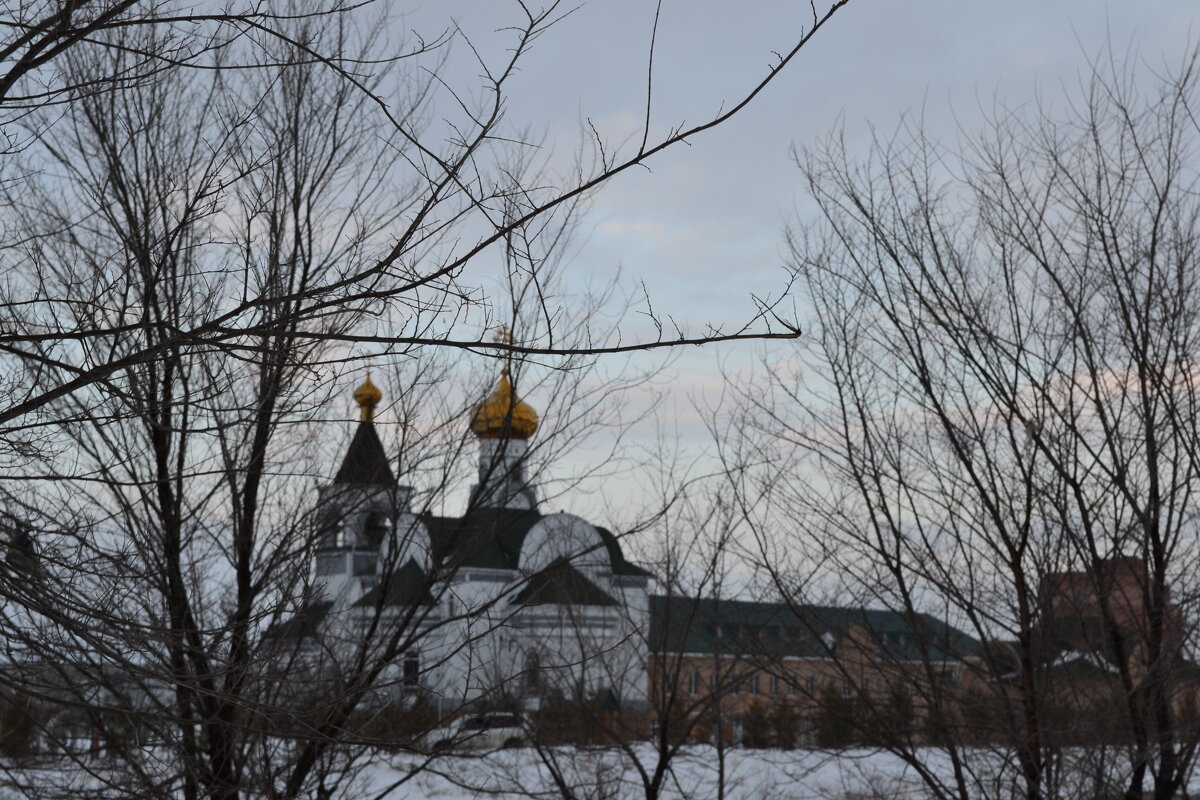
x: 995, y: 424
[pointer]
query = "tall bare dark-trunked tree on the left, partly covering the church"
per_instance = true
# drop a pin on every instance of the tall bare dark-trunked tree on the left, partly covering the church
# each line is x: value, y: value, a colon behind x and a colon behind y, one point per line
x: 205, y: 231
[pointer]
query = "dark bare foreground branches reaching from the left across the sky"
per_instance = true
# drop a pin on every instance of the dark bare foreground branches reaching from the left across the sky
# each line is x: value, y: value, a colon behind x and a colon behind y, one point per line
x: 470, y: 184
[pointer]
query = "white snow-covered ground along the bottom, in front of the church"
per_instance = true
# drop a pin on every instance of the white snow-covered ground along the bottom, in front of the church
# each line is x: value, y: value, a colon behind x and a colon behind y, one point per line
x: 698, y: 774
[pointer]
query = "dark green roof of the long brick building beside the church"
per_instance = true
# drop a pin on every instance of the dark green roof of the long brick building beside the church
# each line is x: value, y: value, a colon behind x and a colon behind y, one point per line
x: 736, y: 627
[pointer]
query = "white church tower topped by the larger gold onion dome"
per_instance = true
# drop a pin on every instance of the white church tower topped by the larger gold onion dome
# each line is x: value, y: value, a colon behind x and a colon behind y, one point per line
x: 503, y: 424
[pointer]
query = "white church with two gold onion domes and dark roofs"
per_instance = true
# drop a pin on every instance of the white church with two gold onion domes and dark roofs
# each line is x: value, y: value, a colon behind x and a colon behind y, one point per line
x: 502, y: 603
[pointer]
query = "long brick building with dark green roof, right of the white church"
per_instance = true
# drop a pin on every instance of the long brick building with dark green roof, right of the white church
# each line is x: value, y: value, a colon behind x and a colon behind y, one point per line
x: 802, y: 667
